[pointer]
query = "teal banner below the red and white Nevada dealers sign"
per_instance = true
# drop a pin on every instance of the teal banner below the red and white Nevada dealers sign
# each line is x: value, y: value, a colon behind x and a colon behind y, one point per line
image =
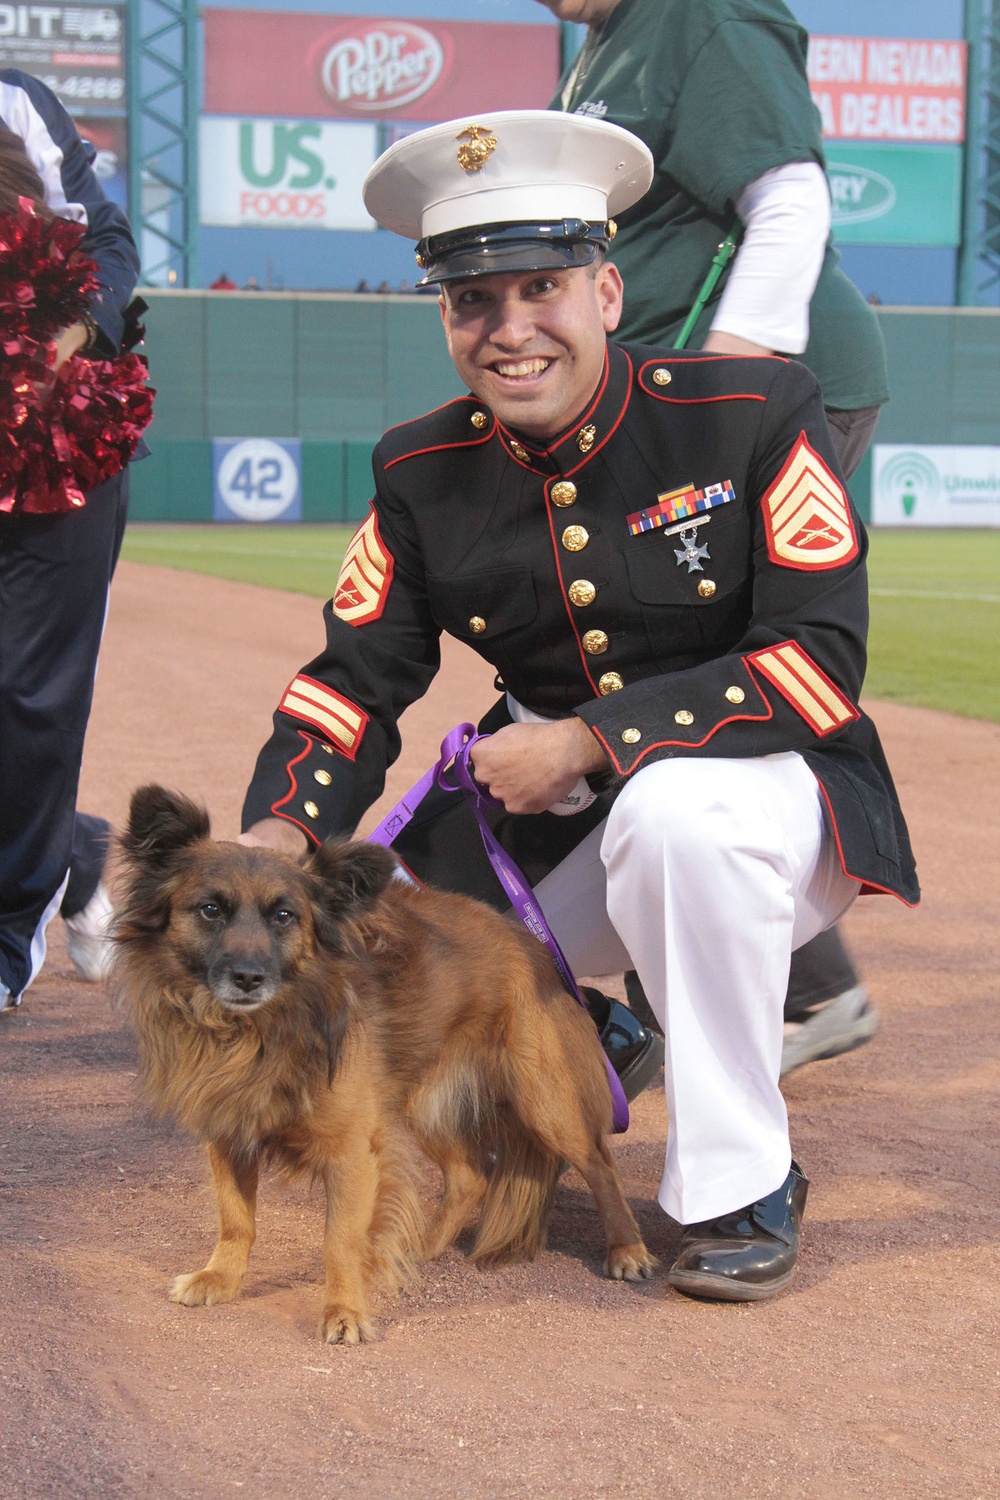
x: 896, y: 194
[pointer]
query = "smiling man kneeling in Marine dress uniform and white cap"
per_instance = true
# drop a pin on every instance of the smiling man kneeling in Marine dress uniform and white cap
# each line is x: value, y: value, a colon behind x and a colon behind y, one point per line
x: 659, y: 556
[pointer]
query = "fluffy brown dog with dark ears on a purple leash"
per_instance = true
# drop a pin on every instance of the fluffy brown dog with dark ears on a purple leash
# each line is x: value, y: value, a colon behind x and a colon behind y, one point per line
x: 317, y: 1016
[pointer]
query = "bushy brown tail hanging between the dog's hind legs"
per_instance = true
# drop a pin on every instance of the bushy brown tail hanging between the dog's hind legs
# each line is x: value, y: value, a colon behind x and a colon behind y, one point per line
x: 519, y: 1196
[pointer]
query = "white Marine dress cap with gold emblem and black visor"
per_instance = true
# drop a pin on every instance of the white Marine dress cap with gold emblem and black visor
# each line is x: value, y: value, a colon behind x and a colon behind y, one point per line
x: 519, y: 190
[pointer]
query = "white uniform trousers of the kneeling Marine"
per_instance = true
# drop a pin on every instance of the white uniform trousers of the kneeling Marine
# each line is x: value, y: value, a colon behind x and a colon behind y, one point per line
x: 705, y: 877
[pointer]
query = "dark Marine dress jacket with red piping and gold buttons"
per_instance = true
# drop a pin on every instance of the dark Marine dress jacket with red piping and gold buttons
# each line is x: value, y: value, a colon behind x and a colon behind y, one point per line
x: 549, y: 565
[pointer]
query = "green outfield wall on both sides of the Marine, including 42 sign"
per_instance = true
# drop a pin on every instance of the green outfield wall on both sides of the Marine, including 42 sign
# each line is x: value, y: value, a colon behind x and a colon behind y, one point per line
x: 323, y: 376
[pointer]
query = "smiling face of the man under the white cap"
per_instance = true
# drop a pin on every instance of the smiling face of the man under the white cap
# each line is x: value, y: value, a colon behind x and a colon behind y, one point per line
x: 531, y: 344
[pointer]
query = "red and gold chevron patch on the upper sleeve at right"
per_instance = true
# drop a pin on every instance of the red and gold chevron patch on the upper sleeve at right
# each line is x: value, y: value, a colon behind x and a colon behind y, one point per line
x: 807, y: 515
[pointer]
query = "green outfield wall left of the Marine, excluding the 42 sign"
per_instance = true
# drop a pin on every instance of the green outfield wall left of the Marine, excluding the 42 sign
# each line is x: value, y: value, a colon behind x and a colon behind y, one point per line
x: 332, y: 371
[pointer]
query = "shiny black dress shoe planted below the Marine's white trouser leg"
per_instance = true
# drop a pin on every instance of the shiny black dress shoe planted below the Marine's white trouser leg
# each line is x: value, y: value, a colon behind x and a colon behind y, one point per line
x: 747, y: 1255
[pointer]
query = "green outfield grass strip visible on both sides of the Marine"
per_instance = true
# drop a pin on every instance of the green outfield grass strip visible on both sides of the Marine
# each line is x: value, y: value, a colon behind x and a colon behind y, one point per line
x: 935, y: 637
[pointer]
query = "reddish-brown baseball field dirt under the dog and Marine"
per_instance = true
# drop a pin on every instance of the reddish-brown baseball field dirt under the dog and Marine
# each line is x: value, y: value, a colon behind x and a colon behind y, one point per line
x: 878, y: 1375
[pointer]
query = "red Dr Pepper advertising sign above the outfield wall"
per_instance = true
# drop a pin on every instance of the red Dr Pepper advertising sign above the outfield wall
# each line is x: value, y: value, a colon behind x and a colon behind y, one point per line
x: 295, y: 65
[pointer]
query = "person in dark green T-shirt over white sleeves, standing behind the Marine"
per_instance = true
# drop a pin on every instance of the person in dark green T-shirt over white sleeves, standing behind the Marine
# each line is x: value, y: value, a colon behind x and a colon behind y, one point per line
x: 719, y: 92
